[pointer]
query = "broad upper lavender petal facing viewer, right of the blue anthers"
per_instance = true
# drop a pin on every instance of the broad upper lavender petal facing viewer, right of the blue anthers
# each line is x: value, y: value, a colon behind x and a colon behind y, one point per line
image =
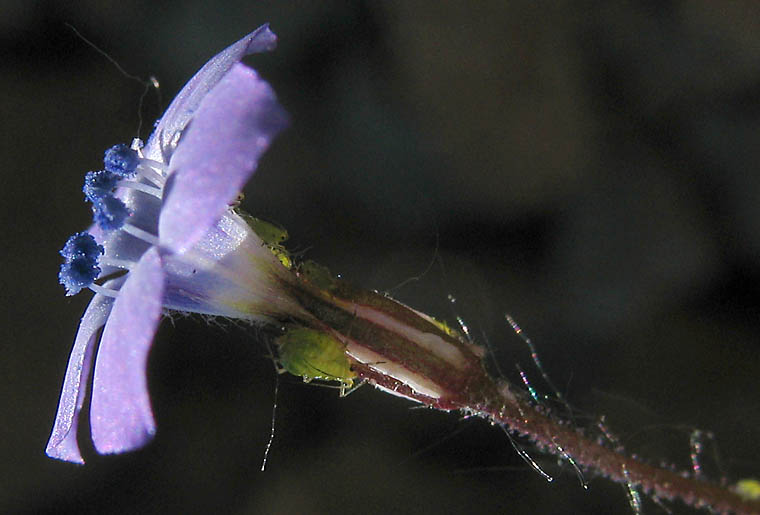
x: 233, y: 127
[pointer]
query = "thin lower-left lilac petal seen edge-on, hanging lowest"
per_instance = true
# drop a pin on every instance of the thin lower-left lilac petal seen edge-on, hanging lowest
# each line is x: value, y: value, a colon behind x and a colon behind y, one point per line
x: 63, y: 440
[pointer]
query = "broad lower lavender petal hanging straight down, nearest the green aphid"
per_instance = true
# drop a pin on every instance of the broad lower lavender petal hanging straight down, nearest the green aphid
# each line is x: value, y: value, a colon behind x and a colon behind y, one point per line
x: 120, y: 415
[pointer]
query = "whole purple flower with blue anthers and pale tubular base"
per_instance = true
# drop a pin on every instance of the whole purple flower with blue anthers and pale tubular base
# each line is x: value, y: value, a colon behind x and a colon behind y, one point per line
x: 162, y: 215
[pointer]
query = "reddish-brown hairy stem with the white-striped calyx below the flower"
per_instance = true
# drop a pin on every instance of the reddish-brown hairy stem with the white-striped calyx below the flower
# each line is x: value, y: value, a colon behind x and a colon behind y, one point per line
x: 409, y: 354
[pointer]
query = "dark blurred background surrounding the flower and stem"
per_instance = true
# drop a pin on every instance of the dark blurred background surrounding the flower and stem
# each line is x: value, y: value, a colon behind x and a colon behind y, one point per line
x: 588, y: 167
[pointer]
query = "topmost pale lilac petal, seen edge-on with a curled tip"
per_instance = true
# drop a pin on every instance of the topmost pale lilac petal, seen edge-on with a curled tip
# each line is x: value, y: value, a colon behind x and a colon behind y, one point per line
x: 183, y: 107
